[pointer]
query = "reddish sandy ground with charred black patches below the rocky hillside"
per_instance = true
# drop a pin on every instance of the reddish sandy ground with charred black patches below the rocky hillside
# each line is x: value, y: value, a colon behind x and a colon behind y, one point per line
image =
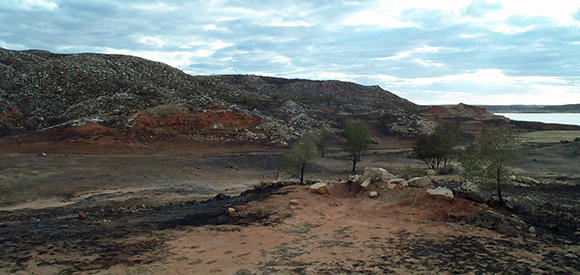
x: 148, y: 213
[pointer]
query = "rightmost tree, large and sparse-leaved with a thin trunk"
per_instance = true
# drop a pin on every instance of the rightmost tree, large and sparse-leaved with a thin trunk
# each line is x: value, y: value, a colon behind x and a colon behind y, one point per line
x: 492, y: 158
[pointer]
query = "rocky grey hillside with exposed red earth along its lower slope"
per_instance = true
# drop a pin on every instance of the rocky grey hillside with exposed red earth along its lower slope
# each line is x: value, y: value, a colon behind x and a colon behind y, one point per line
x: 115, y: 98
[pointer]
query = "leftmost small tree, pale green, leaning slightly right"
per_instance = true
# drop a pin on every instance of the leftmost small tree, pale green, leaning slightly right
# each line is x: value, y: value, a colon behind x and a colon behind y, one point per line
x: 299, y: 157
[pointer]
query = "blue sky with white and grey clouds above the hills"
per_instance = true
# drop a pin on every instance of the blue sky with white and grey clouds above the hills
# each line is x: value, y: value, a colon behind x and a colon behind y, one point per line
x: 430, y: 52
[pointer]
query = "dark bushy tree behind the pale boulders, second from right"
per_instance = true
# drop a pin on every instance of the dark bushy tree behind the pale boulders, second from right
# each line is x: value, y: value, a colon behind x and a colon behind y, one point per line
x: 438, y: 147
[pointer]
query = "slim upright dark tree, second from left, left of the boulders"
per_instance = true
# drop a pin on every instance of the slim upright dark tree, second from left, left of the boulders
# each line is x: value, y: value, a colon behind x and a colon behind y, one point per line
x: 357, y: 140
